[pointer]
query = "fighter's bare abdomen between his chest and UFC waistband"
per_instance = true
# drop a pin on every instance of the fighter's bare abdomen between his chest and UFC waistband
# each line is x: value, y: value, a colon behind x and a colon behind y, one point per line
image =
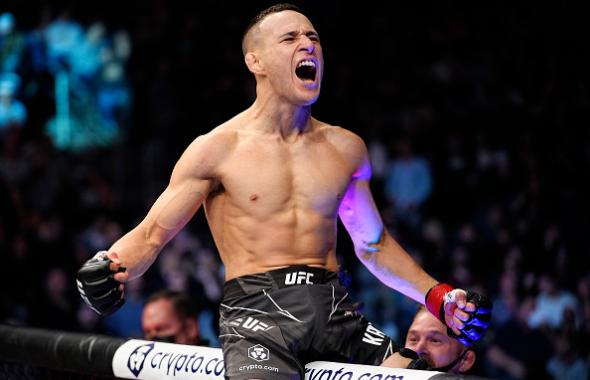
x: 251, y: 244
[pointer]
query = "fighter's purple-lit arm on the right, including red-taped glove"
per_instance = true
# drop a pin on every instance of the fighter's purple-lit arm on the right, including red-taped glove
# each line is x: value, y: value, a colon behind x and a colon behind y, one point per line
x: 466, y: 313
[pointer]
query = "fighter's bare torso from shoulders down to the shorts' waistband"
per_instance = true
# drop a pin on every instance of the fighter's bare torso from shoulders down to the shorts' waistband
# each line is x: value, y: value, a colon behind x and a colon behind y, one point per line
x: 276, y: 202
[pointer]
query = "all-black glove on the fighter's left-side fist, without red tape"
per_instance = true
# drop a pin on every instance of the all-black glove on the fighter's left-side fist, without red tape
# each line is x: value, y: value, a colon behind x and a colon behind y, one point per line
x: 97, y: 287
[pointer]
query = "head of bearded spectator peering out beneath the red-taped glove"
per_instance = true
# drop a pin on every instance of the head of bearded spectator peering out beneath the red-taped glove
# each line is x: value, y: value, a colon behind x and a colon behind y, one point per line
x: 428, y: 337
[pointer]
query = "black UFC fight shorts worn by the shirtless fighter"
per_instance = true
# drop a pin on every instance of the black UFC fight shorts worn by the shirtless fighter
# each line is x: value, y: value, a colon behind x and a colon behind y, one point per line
x: 273, y: 323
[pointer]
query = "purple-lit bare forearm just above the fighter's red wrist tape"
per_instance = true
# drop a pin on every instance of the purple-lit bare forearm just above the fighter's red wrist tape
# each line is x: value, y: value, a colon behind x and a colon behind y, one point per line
x: 393, y: 266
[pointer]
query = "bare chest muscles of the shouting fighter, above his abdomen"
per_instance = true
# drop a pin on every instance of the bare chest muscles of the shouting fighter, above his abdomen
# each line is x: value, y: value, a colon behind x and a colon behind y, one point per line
x: 270, y: 177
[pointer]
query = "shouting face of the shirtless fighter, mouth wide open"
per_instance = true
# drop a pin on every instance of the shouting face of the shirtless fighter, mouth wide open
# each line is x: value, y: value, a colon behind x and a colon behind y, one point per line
x: 291, y: 54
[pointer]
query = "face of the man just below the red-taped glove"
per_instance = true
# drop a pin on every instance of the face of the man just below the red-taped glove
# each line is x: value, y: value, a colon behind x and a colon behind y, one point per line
x: 428, y: 337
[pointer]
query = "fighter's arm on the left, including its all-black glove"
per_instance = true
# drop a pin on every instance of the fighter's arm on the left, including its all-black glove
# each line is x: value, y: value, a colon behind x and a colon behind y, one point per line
x: 100, y: 279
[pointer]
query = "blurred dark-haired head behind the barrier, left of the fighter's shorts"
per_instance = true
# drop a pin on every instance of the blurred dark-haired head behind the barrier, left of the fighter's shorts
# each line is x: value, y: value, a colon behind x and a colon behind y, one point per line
x: 170, y: 316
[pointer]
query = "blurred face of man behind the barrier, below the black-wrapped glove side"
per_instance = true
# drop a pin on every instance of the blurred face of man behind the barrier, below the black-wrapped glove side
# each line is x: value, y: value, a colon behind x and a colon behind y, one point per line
x: 159, y: 320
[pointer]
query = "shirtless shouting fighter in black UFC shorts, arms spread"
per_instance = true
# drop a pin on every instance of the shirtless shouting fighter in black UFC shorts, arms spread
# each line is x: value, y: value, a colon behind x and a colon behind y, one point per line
x: 273, y: 181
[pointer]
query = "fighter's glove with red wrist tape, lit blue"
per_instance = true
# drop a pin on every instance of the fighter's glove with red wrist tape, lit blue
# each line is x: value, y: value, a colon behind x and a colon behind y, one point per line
x: 479, y: 319
